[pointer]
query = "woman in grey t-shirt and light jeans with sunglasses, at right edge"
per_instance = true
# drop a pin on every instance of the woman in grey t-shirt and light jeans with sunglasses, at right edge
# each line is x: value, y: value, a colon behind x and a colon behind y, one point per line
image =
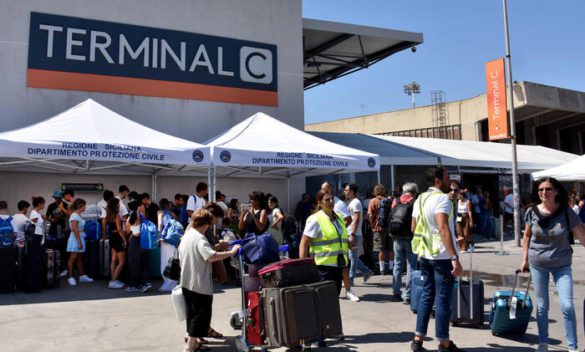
x: 546, y: 251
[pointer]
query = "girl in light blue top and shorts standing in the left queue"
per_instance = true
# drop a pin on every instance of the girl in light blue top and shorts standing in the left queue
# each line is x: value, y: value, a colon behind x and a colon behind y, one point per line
x: 76, y: 243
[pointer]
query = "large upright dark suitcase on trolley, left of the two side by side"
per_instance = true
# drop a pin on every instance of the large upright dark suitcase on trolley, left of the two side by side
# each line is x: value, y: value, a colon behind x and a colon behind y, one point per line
x: 291, y: 315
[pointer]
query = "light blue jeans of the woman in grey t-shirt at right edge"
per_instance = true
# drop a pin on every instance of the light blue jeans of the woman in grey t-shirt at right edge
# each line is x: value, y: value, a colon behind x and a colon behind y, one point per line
x: 563, y: 278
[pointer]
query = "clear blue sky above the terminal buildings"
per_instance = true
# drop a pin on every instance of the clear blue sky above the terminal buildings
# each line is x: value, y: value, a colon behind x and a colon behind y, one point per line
x: 547, y: 39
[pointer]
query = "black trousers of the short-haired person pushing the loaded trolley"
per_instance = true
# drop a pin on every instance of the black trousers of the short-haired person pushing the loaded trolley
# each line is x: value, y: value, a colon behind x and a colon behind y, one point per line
x: 198, y: 313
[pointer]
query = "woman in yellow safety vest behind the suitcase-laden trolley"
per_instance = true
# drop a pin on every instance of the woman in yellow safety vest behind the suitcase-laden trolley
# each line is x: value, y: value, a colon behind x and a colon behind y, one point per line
x: 325, y: 238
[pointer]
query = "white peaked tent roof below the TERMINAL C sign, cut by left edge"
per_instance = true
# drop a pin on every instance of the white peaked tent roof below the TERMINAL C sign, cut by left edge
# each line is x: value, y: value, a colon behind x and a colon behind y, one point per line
x: 102, y: 138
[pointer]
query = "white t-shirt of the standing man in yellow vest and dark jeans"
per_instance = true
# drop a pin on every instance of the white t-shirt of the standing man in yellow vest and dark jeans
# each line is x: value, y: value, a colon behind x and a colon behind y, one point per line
x: 432, y: 206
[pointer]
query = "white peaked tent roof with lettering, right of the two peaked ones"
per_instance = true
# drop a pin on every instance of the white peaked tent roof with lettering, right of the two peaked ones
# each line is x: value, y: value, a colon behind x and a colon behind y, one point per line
x: 263, y: 143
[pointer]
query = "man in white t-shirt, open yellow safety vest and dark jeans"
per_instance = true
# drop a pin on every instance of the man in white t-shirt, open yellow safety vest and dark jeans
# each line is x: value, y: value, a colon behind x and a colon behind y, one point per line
x: 435, y: 243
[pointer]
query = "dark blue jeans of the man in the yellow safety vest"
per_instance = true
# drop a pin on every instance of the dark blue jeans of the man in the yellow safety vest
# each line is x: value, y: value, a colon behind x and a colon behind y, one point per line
x: 440, y: 282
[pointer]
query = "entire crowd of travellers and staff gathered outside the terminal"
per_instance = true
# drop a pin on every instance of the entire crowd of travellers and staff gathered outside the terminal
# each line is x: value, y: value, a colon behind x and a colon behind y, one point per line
x: 410, y: 231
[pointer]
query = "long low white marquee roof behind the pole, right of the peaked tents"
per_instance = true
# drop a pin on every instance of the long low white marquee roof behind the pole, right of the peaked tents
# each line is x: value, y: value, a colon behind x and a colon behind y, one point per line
x: 452, y: 152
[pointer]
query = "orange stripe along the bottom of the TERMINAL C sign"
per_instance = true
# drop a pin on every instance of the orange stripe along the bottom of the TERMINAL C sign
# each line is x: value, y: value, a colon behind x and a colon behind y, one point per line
x: 148, y: 87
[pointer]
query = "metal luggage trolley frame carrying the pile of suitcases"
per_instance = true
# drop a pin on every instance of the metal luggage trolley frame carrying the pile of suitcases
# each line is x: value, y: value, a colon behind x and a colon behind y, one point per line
x: 241, y: 319
